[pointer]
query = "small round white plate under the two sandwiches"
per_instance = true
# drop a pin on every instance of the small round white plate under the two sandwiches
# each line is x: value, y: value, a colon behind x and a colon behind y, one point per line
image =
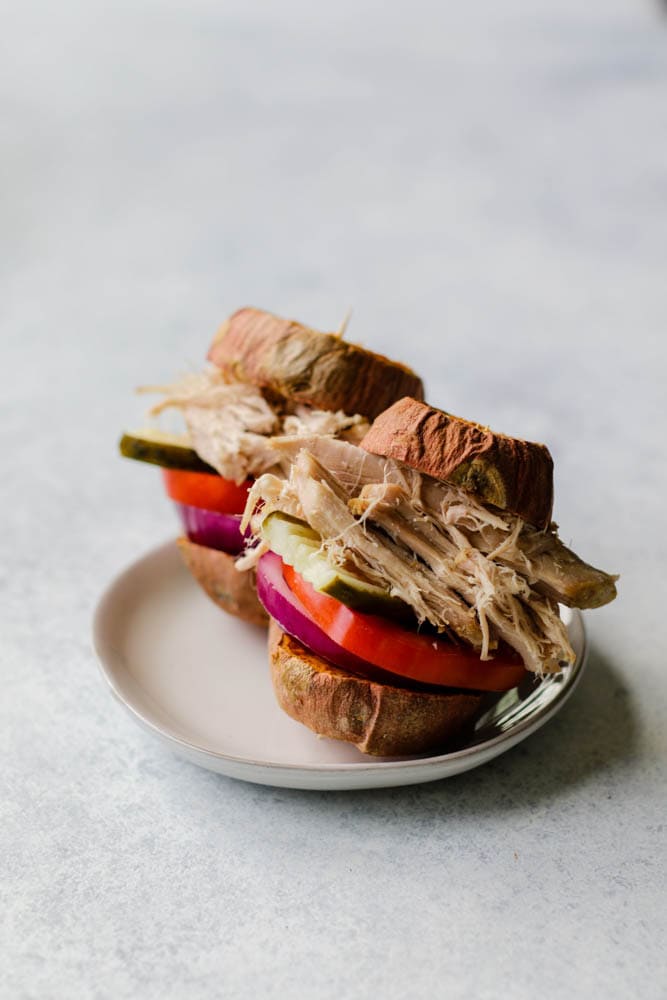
x: 199, y: 680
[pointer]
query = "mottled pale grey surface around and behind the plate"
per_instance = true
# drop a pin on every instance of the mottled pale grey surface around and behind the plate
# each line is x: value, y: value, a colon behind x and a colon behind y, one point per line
x: 487, y: 185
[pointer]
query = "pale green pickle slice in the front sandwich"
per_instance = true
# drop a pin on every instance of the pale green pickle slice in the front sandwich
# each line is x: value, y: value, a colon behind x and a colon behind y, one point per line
x: 299, y: 545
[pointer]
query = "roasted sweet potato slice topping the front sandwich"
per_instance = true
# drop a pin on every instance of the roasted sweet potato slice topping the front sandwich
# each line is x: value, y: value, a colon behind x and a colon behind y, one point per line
x: 514, y: 475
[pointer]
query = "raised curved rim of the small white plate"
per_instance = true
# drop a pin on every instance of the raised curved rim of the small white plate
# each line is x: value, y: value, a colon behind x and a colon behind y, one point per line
x: 507, y: 739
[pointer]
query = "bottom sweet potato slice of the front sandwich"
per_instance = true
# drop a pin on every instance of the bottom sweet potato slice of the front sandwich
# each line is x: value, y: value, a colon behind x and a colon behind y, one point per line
x: 379, y: 719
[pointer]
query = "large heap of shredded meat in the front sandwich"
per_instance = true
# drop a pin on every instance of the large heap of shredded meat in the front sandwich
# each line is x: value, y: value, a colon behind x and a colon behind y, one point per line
x: 477, y: 574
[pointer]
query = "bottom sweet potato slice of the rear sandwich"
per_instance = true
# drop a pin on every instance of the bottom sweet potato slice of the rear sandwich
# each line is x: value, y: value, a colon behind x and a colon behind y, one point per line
x: 232, y: 591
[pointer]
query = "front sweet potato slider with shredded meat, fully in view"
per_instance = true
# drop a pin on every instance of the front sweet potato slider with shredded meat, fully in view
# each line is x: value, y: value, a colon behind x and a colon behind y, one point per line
x: 410, y: 574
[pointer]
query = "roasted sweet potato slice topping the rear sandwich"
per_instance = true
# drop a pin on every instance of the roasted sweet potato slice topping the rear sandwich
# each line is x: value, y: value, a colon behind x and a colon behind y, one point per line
x: 306, y: 366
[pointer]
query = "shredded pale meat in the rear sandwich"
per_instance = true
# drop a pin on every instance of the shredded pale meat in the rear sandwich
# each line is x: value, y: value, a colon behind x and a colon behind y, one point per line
x: 231, y: 424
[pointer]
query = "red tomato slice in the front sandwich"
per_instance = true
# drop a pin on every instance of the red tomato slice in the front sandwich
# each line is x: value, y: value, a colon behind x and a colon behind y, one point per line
x: 425, y: 658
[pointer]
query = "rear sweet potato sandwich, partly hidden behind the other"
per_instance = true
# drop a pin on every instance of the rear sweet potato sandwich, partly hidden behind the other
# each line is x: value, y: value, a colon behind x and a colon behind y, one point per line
x: 268, y: 377
